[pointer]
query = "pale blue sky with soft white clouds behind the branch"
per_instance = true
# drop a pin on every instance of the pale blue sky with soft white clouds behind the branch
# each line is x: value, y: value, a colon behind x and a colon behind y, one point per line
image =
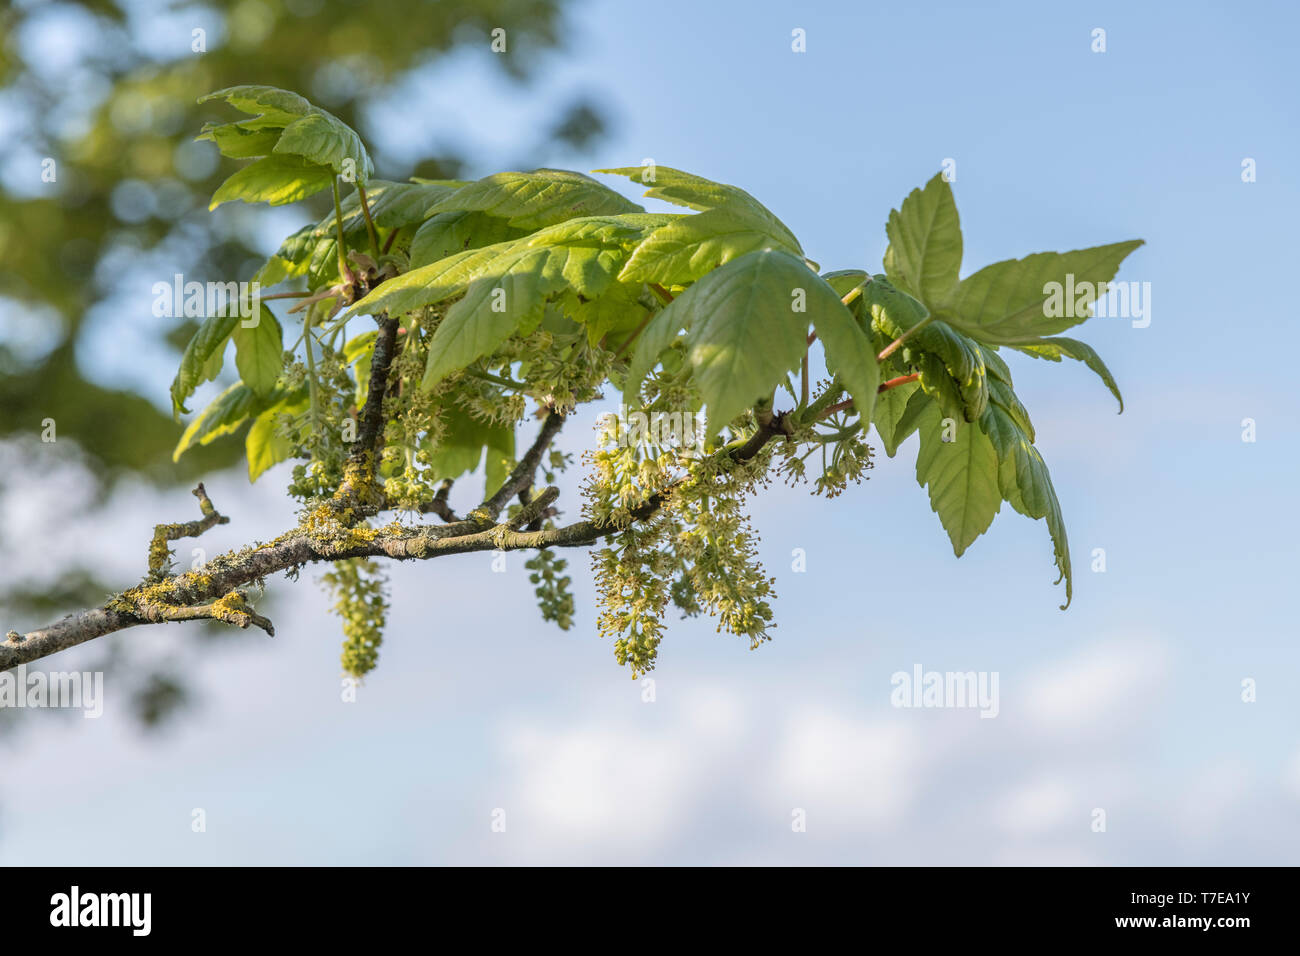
x: 1129, y: 702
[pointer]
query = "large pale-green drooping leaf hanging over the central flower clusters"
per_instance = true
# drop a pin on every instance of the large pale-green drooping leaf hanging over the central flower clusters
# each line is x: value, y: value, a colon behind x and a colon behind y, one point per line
x: 744, y: 335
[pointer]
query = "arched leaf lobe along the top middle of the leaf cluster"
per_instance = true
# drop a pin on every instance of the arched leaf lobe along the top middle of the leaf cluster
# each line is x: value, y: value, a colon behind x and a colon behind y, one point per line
x: 540, y: 198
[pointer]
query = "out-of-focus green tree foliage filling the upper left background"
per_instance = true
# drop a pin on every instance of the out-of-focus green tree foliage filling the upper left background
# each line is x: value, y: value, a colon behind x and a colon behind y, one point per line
x: 120, y: 122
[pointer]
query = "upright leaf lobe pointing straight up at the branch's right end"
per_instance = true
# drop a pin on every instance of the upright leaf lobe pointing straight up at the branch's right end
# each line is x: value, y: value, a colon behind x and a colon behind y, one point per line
x: 925, y: 250
